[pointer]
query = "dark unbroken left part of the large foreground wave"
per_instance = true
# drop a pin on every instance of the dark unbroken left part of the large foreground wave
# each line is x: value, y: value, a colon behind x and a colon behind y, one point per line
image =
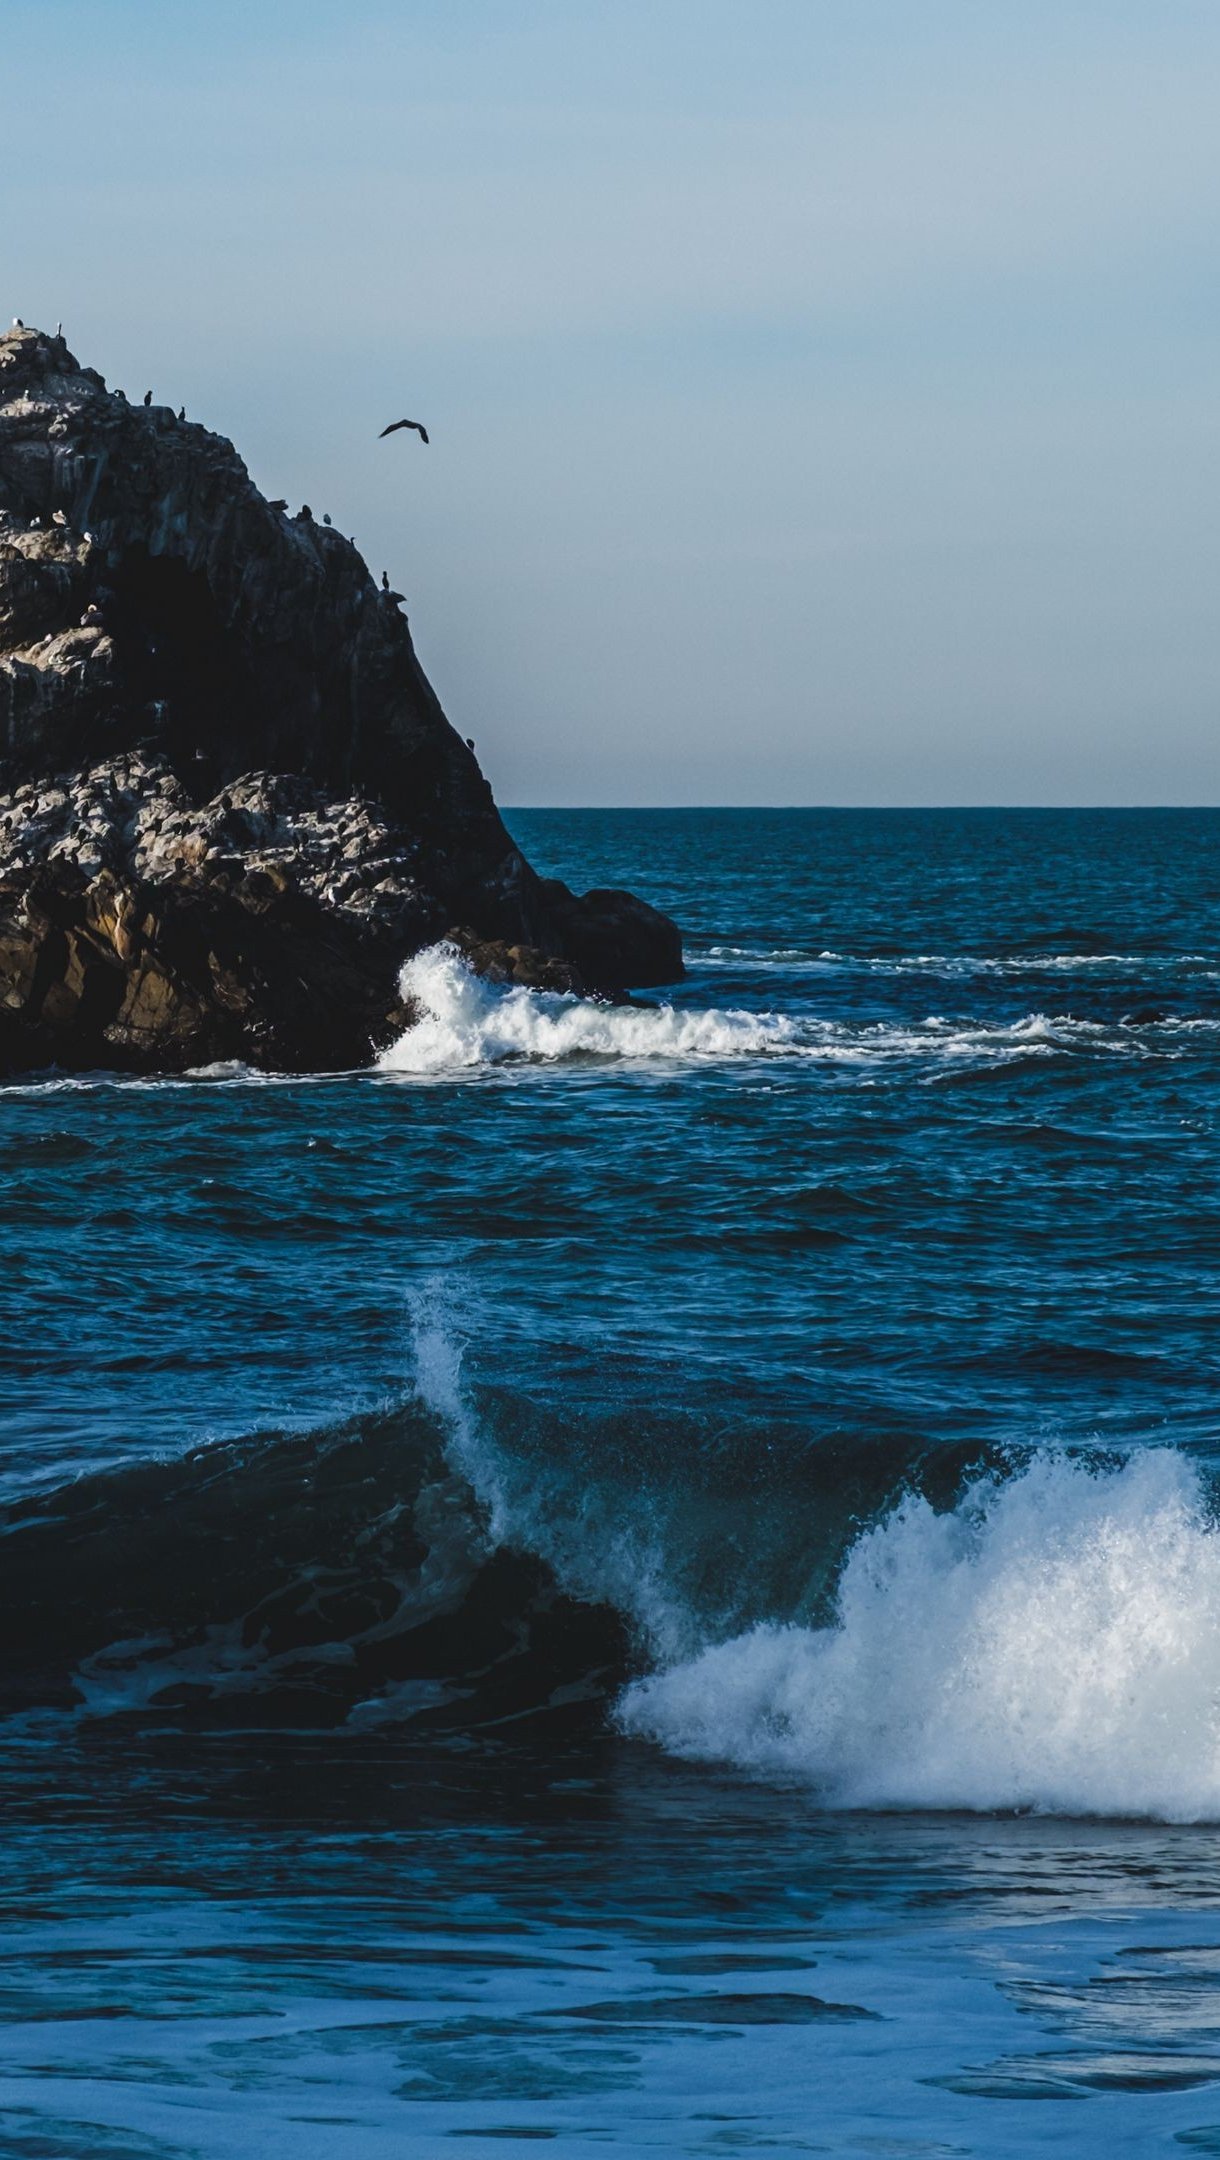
x: 340, y: 1578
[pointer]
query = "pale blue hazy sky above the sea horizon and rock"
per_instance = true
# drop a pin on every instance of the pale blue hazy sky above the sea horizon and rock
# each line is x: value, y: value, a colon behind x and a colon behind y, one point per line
x: 824, y: 394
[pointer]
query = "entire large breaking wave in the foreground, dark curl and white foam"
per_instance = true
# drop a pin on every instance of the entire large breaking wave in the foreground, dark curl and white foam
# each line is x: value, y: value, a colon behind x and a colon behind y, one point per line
x: 1038, y: 1636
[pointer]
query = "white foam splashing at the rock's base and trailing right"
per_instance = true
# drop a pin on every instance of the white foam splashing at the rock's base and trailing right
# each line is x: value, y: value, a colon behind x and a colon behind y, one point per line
x: 470, y: 1023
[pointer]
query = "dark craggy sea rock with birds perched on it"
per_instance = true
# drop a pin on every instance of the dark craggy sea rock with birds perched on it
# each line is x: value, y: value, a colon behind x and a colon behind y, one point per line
x: 234, y: 805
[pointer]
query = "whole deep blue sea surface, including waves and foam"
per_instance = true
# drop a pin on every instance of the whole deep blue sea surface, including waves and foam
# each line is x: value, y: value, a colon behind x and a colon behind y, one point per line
x: 640, y: 1580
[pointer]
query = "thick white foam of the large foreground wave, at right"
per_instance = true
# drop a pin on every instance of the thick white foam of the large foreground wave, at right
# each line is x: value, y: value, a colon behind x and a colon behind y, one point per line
x: 1050, y: 1645
